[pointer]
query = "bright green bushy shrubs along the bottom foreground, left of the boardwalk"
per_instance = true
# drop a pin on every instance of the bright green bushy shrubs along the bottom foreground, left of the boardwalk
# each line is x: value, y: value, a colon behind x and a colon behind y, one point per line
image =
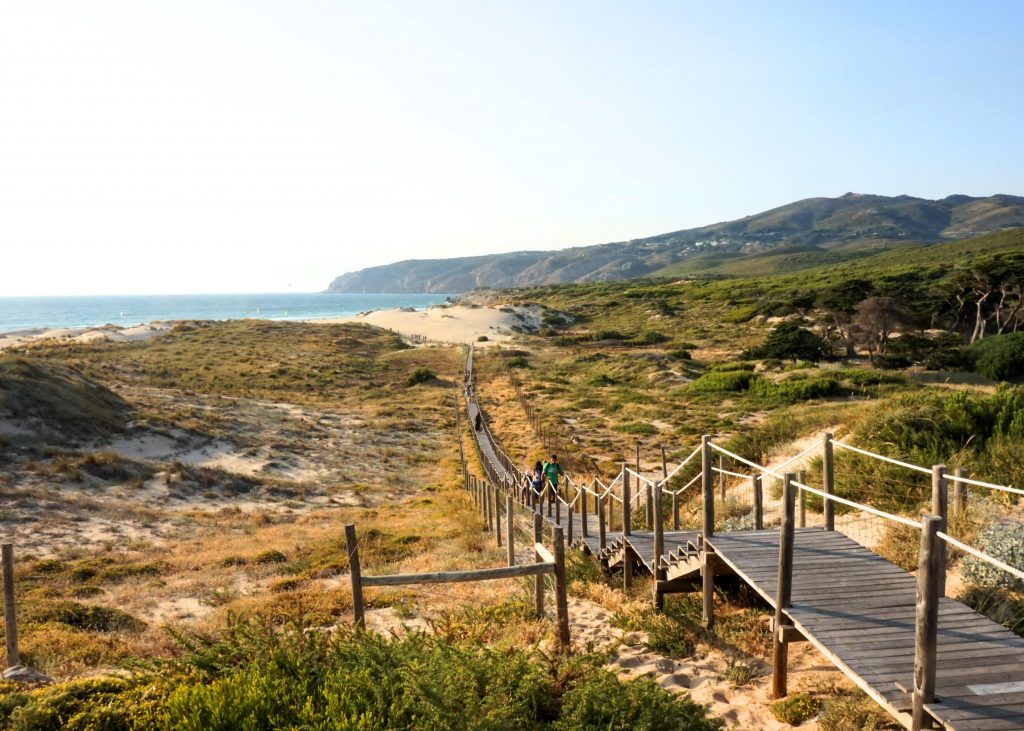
x: 255, y: 677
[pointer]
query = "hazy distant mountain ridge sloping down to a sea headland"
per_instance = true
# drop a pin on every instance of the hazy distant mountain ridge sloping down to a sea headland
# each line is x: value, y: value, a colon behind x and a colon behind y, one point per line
x: 808, y: 233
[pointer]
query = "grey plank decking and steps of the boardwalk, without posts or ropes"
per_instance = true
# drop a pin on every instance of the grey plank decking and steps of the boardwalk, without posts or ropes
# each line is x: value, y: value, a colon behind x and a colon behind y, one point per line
x: 855, y: 607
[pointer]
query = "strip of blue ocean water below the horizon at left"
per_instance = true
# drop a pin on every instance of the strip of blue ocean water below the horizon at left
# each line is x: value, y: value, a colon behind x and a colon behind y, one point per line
x: 19, y: 314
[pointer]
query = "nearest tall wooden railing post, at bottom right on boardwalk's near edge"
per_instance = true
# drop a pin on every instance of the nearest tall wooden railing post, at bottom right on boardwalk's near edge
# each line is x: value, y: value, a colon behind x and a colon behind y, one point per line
x: 930, y: 576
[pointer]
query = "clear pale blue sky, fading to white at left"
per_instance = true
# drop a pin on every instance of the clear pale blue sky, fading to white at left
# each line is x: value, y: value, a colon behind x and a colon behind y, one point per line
x: 218, y: 146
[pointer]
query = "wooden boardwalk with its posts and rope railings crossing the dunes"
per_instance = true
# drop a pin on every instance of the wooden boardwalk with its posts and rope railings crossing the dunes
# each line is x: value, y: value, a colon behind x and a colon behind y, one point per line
x: 927, y: 660
